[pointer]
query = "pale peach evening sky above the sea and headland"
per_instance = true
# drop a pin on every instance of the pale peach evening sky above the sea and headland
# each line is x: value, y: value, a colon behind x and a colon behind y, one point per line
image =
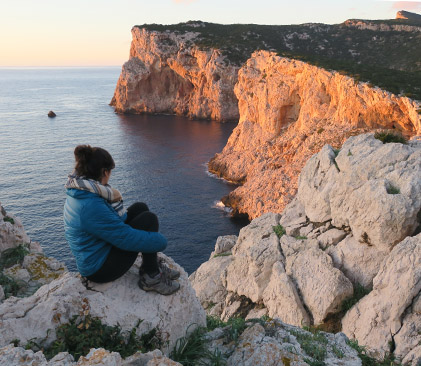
x: 97, y: 32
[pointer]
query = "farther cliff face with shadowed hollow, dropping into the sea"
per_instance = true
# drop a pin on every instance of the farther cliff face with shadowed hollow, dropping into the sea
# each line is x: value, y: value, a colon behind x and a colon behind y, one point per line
x: 166, y: 73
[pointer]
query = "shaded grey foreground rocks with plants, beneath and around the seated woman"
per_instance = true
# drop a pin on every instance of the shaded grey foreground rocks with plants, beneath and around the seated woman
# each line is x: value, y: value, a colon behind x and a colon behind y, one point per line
x: 29, y: 323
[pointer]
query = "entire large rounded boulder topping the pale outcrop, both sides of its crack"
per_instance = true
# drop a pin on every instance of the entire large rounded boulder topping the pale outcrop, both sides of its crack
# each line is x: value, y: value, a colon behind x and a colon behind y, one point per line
x: 371, y: 187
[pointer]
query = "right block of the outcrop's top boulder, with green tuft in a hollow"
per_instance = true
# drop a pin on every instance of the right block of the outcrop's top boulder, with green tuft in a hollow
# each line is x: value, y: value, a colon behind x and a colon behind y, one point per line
x: 377, y: 191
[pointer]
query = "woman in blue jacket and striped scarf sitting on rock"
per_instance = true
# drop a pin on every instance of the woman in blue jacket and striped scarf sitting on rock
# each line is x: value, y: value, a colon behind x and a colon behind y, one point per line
x: 103, y: 237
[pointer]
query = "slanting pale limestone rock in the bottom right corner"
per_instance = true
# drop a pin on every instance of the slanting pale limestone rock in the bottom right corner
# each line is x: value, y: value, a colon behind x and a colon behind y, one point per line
x: 378, y: 317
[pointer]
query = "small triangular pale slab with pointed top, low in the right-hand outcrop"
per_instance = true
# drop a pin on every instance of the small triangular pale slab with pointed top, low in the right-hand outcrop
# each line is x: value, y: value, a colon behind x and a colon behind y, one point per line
x: 282, y: 300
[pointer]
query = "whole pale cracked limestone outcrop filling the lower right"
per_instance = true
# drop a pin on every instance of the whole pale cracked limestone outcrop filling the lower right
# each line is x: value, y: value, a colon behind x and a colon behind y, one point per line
x: 352, y: 235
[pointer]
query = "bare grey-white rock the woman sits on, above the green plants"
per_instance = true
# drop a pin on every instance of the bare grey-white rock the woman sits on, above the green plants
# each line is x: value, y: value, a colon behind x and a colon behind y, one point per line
x: 56, y: 302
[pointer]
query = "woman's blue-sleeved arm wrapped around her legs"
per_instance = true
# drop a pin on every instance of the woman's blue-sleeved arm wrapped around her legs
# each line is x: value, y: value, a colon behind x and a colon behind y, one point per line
x: 100, y: 220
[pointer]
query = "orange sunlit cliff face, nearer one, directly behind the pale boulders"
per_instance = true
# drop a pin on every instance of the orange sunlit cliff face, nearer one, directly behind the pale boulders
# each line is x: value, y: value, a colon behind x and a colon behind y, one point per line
x: 288, y: 111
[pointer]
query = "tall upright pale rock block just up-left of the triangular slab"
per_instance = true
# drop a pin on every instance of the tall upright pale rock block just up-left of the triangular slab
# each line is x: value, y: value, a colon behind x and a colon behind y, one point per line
x: 257, y: 249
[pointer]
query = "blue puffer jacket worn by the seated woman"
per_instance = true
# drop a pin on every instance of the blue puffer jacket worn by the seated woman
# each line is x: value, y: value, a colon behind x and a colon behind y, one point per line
x: 92, y: 227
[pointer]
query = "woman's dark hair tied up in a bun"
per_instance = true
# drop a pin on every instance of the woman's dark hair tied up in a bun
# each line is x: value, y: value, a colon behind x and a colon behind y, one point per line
x: 92, y: 161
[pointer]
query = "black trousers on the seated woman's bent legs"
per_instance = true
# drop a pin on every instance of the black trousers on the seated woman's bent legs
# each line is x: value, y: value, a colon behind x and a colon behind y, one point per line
x: 119, y: 261
